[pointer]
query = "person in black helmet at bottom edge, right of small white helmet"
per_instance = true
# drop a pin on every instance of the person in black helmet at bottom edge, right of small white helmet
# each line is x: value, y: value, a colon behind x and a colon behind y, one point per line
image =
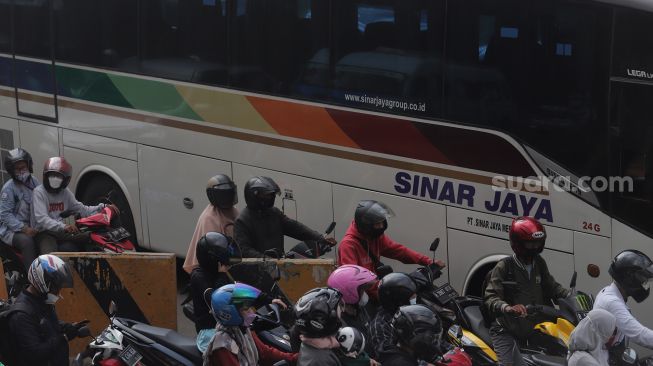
x: 418, y: 332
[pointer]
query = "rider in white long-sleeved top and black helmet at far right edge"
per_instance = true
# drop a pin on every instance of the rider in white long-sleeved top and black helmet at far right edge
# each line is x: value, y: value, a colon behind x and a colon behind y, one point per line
x: 631, y: 271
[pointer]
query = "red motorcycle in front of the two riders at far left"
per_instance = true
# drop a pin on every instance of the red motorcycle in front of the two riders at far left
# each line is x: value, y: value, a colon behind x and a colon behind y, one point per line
x: 101, y: 231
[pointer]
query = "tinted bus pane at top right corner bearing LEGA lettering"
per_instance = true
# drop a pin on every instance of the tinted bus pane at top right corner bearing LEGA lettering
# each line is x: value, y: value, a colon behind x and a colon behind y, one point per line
x: 633, y: 45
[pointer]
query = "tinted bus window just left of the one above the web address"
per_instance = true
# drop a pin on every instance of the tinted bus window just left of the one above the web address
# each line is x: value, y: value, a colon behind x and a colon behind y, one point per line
x: 279, y: 46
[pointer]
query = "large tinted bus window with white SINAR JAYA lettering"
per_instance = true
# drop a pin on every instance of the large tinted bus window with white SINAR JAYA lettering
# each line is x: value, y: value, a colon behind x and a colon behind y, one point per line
x: 537, y: 70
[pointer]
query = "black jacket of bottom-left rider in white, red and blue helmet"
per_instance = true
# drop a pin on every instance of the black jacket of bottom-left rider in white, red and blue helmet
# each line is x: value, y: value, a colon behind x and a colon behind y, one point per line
x: 37, y: 336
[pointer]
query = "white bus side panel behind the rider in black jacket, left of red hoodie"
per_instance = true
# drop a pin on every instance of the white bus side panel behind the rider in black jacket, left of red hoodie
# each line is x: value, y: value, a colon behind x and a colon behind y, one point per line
x: 306, y: 200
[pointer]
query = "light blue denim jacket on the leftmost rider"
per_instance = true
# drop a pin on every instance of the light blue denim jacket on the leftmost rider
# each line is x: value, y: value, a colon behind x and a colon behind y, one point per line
x: 15, y: 202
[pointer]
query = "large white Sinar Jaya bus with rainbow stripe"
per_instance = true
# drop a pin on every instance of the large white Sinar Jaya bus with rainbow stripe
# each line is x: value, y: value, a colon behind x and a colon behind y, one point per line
x: 458, y: 114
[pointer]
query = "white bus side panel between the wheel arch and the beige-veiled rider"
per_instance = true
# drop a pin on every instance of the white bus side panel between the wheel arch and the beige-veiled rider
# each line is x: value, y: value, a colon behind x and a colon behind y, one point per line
x: 169, y: 181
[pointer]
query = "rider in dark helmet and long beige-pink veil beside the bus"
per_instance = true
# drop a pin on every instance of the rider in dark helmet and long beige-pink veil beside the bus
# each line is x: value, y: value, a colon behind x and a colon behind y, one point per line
x: 218, y: 216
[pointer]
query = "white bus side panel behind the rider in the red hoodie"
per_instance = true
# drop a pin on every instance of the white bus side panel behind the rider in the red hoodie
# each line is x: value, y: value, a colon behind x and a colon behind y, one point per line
x: 416, y: 224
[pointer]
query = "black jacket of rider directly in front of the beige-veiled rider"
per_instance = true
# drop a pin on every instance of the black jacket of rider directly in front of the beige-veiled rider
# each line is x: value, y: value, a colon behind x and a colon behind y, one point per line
x: 200, y: 280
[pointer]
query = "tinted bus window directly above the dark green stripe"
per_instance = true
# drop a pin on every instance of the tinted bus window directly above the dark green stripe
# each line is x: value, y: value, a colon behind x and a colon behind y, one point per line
x: 103, y: 33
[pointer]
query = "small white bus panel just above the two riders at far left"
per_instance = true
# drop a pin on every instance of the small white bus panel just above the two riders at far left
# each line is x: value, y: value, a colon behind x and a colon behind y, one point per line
x: 42, y: 142
